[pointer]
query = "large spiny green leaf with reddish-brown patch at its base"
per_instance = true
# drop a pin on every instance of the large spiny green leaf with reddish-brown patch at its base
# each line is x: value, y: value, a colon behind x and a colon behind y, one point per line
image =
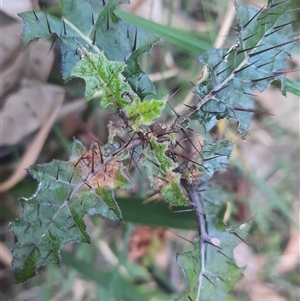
x: 53, y: 216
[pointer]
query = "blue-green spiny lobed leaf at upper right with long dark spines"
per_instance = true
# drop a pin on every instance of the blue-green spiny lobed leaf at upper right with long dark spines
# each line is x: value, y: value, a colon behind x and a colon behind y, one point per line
x: 257, y: 59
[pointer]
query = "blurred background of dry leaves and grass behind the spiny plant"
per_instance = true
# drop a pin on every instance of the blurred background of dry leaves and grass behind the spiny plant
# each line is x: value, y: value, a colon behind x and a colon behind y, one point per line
x: 137, y: 260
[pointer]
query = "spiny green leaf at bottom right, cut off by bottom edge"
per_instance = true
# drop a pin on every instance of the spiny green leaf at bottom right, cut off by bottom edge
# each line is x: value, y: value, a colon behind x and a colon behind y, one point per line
x: 210, y: 269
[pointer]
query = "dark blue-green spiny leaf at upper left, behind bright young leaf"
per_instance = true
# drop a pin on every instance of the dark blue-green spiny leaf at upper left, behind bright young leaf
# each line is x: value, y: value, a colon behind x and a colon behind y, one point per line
x: 94, y: 26
